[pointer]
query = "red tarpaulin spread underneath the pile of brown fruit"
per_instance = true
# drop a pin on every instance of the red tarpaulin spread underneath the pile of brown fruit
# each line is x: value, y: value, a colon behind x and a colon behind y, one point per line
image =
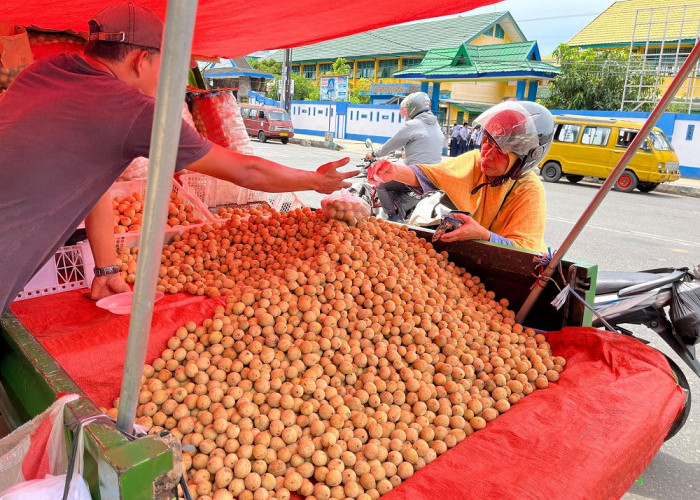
x: 588, y: 436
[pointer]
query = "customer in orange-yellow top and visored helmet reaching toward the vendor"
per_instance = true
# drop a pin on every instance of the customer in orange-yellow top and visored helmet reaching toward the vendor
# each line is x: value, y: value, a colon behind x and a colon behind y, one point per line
x: 496, y: 184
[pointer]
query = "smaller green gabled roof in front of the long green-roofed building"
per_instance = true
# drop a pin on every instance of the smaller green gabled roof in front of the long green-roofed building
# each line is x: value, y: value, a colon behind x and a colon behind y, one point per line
x: 473, y: 61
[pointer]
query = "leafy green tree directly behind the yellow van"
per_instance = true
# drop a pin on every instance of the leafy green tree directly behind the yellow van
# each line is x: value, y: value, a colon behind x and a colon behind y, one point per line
x: 595, y: 79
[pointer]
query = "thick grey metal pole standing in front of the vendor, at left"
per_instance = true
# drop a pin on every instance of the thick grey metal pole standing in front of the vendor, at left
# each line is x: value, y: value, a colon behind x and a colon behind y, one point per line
x: 167, y: 121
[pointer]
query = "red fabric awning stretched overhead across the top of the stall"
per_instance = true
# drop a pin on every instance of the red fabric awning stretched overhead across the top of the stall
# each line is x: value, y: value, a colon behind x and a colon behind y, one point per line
x: 232, y: 29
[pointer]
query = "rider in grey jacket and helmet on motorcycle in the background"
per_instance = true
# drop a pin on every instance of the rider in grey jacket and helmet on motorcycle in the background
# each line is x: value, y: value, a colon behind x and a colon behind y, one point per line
x: 422, y: 139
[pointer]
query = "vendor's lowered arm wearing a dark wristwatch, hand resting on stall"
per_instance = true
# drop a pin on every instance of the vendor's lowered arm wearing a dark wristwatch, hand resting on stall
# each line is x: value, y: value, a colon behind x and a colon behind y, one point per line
x: 99, y: 225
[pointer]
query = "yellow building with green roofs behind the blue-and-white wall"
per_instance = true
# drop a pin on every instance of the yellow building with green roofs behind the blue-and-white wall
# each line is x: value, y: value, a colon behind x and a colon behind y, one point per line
x: 389, y: 58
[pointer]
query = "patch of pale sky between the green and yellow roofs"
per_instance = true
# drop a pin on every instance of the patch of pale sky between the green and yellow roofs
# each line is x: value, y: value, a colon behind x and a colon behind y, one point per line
x: 549, y: 22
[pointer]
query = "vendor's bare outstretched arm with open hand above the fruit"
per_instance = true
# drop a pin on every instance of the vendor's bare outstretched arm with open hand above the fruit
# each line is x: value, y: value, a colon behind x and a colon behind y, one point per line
x: 256, y: 173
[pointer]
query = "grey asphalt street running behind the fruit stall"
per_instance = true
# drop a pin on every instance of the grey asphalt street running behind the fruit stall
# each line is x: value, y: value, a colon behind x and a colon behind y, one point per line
x: 628, y: 232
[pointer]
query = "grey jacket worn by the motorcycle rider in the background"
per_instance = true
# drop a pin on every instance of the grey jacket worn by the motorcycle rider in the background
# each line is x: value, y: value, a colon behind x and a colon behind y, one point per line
x: 422, y: 139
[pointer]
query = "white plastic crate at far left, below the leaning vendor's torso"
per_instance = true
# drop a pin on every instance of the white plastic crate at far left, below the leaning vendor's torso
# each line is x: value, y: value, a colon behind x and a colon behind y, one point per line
x: 64, y: 271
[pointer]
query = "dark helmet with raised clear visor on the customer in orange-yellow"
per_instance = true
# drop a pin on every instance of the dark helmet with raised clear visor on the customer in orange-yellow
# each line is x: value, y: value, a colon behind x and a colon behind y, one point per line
x: 523, y: 128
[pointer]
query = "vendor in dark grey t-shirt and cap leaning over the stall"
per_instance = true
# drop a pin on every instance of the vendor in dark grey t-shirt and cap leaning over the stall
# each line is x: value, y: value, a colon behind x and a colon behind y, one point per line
x: 71, y: 124
